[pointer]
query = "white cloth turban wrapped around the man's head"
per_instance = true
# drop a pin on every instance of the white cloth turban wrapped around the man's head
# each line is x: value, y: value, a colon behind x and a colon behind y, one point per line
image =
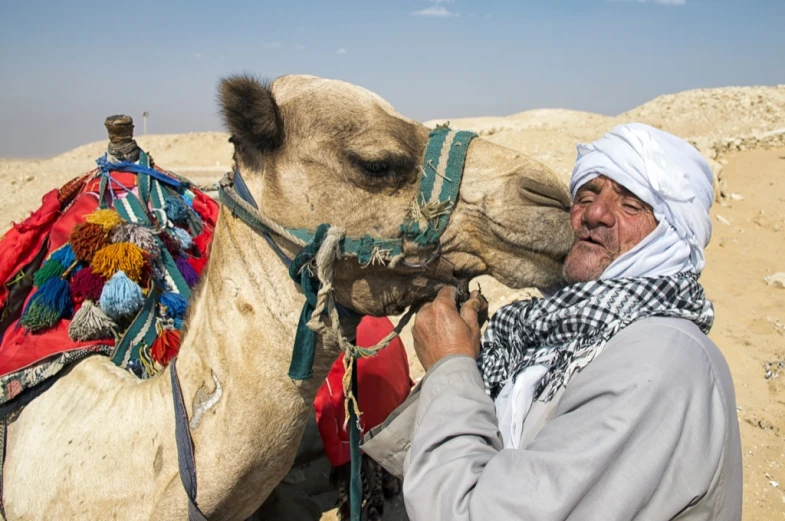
x: 670, y: 175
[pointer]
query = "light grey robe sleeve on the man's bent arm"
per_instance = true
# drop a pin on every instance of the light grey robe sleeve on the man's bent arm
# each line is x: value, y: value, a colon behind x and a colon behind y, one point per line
x: 637, y: 435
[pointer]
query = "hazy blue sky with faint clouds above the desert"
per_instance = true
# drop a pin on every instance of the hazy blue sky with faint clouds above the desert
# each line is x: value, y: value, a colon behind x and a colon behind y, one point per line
x: 64, y: 66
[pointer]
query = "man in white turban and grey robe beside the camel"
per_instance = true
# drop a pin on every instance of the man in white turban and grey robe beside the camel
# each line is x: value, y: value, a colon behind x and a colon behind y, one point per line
x: 606, y: 400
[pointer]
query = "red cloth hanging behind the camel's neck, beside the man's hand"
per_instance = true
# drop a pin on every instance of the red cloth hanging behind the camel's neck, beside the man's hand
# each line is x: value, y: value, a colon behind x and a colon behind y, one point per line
x: 383, y: 383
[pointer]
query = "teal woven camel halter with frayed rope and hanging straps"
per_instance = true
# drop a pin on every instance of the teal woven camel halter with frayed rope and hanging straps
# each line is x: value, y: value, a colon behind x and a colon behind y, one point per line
x: 440, y: 181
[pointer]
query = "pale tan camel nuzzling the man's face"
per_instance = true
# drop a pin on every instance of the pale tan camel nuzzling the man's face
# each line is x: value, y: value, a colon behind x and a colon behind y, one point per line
x: 99, y: 444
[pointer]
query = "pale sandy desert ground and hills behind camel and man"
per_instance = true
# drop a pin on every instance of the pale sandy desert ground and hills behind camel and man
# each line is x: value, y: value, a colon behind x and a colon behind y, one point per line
x: 740, y: 130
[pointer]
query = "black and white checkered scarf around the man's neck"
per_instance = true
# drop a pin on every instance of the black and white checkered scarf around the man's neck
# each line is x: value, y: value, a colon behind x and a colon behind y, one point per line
x: 566, y: 331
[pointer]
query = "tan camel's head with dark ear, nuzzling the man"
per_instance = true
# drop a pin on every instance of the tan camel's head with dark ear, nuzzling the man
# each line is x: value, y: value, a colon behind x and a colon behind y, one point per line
x: 316, y: 151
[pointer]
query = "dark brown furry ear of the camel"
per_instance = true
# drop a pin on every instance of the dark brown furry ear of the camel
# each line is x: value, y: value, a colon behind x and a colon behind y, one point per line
x: 252, y: 117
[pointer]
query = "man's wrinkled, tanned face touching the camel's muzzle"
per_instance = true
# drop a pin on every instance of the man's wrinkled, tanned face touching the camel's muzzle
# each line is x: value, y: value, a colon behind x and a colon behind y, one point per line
x: 608, y: 220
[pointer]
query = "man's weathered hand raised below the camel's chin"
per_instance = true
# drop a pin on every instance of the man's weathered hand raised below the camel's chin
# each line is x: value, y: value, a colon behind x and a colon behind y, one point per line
x: 440, y: 330
